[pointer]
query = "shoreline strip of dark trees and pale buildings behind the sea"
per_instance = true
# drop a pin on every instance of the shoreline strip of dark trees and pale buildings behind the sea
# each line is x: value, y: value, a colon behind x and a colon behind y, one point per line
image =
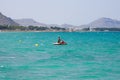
x: 50, y: 29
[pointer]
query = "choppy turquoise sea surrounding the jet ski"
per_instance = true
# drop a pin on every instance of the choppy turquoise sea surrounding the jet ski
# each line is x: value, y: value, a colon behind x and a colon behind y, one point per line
x: 32, y: 56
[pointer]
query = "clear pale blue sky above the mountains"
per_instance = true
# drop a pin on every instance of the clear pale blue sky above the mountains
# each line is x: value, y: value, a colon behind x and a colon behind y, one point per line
x: 74, y: 12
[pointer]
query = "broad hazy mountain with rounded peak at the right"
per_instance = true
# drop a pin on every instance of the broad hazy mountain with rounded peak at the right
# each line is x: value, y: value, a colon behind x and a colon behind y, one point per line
x: 103, y: 23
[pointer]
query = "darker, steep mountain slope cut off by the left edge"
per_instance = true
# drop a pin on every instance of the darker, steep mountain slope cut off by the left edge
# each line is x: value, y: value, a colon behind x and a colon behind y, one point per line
x: 7, y: 21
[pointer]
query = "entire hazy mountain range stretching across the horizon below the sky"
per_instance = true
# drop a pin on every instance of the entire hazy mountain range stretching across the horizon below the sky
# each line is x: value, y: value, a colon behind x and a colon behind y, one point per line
x: 99, y: 23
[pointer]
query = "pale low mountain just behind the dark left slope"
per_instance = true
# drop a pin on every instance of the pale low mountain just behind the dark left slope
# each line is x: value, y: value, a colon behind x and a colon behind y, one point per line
x: 28, y: 22
